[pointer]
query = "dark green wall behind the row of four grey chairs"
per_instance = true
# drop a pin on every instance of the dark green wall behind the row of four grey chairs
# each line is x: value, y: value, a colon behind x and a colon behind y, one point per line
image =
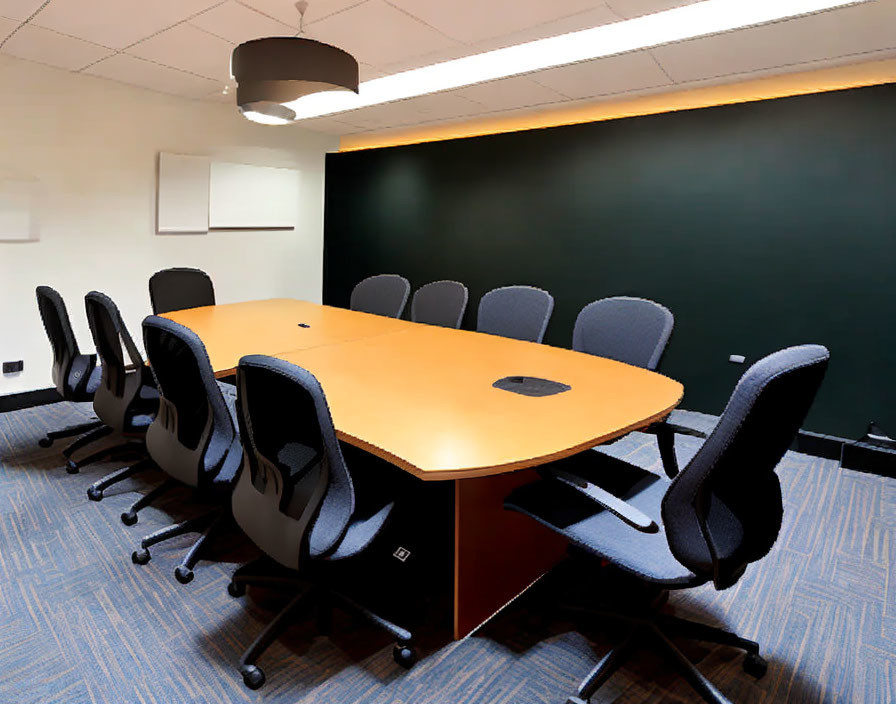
x: 759, y: 225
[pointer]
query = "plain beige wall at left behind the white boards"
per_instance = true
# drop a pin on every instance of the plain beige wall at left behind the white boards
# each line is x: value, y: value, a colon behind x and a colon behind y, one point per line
x: 93, y: 146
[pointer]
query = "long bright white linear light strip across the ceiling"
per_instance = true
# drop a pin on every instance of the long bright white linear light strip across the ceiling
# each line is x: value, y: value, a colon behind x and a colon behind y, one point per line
x: 697, y: 20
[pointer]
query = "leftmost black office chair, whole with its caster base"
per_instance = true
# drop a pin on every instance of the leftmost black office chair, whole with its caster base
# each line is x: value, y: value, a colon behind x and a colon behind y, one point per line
x: 75, y: 375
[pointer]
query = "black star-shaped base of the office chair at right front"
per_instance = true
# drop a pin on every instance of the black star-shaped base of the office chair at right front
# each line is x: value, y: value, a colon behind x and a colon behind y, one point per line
x: 651, y: 628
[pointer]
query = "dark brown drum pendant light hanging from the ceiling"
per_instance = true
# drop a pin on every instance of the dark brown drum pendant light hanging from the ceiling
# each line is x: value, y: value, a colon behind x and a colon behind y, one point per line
x: 276, y: 70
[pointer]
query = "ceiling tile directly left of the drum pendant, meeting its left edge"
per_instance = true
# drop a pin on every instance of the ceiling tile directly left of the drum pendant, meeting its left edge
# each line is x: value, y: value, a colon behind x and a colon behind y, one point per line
x: 189, y: 49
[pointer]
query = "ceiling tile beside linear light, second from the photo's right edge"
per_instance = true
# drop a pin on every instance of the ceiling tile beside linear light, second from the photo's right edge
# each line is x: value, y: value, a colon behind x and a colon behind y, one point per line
x: 614, y: 74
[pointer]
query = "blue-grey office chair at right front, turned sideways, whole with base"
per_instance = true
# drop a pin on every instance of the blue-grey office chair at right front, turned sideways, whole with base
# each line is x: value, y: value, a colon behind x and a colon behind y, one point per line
x: 707, y: 523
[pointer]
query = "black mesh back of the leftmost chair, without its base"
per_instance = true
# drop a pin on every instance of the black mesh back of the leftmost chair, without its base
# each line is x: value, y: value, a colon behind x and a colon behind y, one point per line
x: 71, y: 369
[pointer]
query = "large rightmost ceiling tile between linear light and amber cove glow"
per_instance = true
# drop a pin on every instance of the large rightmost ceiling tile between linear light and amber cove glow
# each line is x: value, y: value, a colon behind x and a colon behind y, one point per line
x: 851, y: 30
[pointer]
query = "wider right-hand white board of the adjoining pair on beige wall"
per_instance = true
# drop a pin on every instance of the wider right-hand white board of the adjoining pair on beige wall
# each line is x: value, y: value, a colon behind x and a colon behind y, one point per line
x: 260, y: 197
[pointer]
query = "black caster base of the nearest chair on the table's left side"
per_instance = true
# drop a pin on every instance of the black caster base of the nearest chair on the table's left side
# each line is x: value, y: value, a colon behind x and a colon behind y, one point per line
x: 265, y: 573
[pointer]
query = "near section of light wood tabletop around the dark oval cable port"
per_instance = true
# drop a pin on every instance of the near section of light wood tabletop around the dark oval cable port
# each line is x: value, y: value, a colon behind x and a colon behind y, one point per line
x: 423, y: 399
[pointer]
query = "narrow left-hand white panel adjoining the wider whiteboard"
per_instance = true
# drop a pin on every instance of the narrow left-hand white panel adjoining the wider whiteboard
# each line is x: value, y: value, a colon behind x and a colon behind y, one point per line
x: 183, y: 193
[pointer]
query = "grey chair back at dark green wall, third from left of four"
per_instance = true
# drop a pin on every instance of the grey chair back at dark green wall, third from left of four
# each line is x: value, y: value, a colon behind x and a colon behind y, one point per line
x: 520, y: 312
